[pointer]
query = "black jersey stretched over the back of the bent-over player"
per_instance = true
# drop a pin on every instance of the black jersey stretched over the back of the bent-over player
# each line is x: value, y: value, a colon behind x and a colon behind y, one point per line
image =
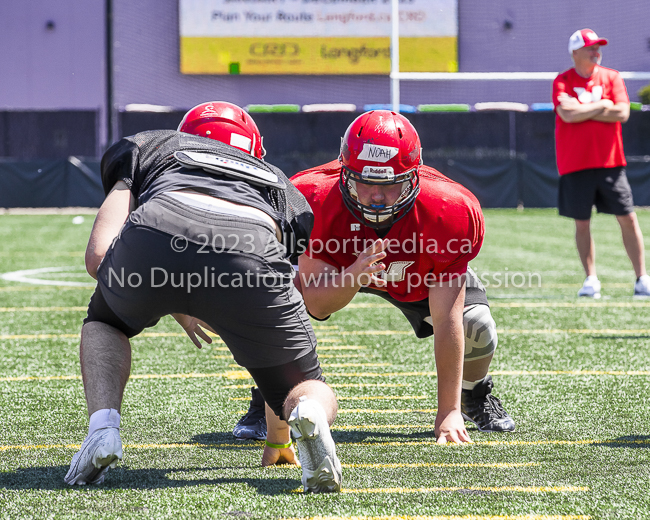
x: 146, y: 163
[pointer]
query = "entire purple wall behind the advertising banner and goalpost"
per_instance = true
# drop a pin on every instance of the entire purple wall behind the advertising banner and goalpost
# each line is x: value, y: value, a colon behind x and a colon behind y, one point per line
x: 64, y: 67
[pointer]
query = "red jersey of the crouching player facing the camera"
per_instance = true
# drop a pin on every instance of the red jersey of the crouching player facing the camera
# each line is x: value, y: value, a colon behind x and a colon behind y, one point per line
x: 434, y: 242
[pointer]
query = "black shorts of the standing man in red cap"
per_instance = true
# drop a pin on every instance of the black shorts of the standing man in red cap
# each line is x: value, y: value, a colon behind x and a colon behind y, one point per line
x: 606, y: 188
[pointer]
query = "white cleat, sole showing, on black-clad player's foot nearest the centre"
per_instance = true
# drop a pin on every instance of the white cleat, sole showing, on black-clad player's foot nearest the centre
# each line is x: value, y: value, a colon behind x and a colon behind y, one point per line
x: 321, y: 468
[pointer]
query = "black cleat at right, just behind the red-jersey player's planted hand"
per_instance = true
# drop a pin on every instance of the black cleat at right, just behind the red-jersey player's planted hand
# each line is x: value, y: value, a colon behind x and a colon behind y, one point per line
x: 484, y: 410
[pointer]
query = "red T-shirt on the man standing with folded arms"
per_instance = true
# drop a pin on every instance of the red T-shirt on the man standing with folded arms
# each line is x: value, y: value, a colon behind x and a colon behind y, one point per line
x: 589, y: 144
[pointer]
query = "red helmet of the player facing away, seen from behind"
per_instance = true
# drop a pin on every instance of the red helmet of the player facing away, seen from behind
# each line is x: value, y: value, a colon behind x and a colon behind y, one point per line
x: 224, y: 122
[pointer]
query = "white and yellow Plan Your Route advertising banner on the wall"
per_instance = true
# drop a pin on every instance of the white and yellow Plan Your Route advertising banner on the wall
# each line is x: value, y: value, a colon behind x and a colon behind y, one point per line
x: 315, y: 36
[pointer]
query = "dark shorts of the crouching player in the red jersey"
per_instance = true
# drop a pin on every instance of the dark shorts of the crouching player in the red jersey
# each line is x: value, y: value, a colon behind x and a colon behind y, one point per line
x: 417, y: 312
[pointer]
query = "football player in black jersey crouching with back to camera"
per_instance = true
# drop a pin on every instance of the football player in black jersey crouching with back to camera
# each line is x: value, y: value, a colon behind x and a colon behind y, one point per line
x: 195, y: 224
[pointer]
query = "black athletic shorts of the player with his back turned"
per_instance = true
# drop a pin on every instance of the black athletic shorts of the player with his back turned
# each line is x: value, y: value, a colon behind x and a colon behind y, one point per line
x: 228, y: 271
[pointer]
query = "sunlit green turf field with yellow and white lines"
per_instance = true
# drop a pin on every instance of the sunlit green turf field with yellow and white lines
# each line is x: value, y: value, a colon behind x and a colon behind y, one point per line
x: 574, y: 374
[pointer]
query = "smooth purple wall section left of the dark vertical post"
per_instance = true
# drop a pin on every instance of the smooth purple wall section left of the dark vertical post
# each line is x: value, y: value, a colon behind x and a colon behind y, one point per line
x: 51, y: 68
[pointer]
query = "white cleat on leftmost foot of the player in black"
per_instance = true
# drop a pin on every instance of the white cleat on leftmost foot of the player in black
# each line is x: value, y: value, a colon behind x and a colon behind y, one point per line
x: 100, y: 451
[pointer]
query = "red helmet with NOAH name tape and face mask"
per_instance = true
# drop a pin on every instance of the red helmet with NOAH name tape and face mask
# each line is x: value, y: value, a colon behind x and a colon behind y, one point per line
x: 380, y: 147
